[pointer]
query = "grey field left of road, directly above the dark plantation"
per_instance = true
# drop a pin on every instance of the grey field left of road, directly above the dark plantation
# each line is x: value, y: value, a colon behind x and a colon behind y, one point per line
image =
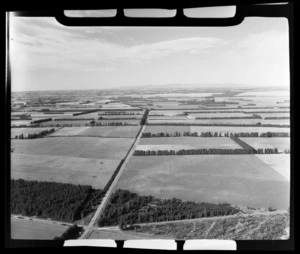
x: 84, y: 171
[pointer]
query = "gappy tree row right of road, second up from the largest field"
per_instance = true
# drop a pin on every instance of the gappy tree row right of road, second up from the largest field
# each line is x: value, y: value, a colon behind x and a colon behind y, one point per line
x: 214, y: 134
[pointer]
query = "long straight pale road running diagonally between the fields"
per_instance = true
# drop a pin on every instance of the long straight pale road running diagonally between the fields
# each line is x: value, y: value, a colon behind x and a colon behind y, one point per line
x: 105, y: 199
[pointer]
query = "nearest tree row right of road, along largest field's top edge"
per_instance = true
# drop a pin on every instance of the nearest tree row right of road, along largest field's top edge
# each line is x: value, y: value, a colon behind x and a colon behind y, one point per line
x: 205, y: 151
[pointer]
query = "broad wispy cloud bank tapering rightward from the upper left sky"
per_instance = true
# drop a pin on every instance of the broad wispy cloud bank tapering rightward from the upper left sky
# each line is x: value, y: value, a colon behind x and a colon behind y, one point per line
x: 42, y: 43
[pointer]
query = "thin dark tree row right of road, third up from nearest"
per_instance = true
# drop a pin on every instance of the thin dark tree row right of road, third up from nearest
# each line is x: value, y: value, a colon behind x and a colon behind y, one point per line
x: 220, y: 124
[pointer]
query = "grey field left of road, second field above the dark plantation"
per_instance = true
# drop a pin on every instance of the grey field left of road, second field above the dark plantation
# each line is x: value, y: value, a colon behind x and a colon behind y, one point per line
x: 83, y: 147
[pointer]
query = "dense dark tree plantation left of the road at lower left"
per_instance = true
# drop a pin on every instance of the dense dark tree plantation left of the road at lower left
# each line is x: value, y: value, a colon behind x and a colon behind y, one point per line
x: 64, y: 202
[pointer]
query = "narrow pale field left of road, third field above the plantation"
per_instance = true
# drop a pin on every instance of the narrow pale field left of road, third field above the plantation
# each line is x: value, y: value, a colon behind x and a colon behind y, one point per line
x: 99, y: 131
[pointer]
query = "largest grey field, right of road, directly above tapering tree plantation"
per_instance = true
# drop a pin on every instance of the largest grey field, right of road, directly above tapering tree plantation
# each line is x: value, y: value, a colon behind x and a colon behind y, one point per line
x: 237, y: 179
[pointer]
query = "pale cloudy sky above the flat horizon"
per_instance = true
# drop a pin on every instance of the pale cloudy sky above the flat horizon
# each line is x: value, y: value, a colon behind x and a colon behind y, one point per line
x: 46, y: 55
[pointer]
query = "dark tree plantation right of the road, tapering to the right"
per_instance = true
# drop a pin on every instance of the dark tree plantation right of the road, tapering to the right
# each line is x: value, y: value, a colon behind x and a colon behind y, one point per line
x: 126, y: 208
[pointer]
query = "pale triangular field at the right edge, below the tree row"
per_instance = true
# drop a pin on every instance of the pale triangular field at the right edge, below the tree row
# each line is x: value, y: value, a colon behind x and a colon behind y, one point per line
x: 280, y: 163
